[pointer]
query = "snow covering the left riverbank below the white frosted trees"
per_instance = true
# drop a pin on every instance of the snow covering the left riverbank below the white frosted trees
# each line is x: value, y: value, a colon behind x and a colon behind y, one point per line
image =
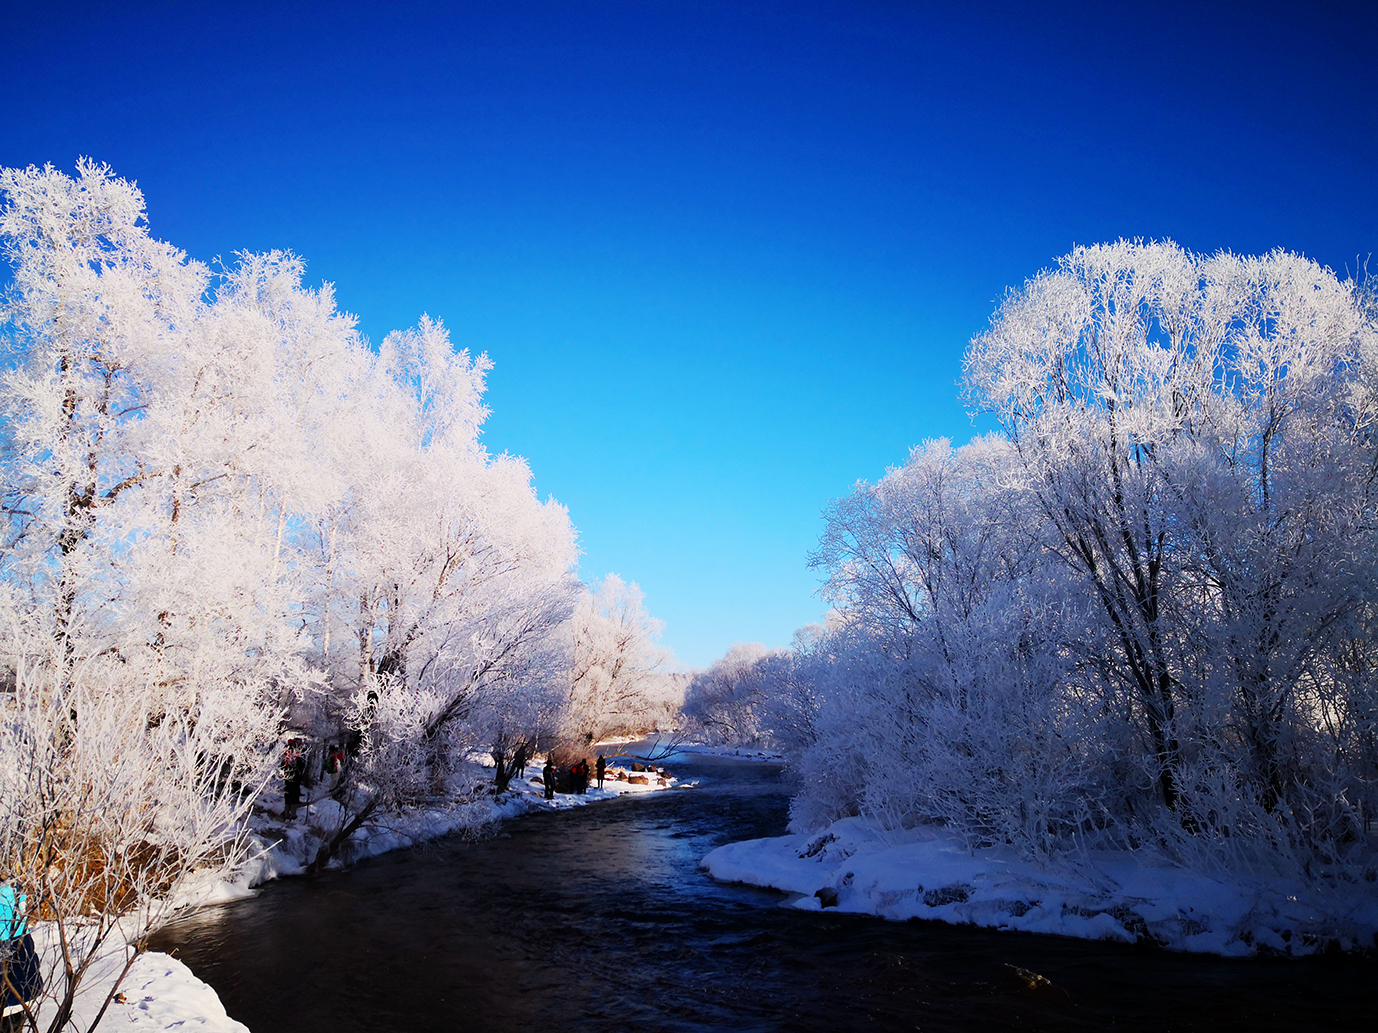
x: 162, y: 994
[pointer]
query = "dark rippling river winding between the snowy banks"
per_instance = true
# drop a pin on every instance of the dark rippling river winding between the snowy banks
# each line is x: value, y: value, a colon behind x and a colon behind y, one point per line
x: 599, y: 919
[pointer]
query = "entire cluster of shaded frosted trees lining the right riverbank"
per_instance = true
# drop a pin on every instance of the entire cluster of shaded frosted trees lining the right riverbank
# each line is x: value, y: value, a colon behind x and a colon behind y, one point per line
x: 1143, y: 611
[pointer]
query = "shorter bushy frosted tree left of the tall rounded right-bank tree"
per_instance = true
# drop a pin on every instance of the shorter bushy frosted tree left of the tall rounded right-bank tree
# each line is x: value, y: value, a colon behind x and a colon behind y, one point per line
x: 947, y: 660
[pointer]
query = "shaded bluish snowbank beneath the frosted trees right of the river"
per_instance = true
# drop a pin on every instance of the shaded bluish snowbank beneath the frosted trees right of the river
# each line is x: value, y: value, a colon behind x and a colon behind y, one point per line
x: 921, y: 874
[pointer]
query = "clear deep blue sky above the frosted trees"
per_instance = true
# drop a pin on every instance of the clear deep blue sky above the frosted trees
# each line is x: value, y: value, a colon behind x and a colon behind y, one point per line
x: 726, y: 257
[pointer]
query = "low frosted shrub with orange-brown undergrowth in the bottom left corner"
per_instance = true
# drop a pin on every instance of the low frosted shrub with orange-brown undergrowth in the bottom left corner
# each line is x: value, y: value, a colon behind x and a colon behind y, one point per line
x: 108, y: 817
